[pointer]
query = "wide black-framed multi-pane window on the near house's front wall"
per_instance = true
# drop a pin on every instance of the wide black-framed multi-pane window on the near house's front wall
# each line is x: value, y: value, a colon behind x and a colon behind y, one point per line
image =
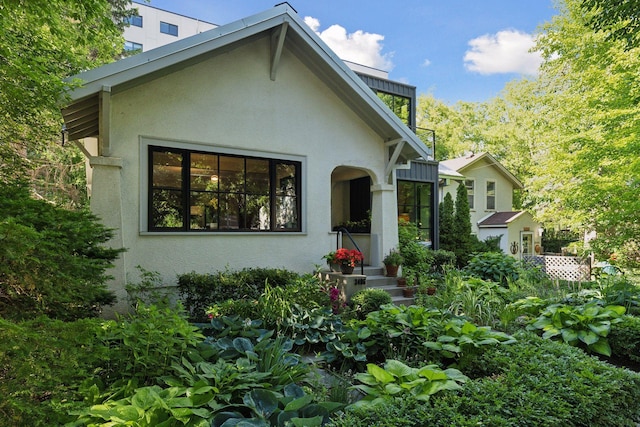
x: 205, y: 191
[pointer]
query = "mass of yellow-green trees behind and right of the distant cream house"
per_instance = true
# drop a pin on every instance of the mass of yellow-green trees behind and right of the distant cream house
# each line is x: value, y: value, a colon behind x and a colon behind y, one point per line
x: 572, y: 134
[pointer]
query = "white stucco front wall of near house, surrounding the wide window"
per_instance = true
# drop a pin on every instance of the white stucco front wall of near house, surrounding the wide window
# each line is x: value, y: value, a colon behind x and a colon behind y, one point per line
x: 228, y: 102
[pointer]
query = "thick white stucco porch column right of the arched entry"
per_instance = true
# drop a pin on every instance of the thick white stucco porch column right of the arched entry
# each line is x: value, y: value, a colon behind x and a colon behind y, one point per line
x: 384, y: 221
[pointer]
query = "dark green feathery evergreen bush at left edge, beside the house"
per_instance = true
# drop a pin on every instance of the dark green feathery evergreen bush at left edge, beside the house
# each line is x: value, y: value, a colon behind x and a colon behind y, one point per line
x: 52, y: 260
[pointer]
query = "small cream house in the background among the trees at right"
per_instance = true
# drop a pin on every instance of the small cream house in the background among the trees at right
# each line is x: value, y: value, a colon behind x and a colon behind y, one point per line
x: 490, y: 188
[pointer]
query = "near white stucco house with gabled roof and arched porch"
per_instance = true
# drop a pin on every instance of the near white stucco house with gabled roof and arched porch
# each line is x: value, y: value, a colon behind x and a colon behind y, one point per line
x: 236, y: 147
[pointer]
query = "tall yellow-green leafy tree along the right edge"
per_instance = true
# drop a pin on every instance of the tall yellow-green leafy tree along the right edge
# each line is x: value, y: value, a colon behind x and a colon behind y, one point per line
x: 592, y: 85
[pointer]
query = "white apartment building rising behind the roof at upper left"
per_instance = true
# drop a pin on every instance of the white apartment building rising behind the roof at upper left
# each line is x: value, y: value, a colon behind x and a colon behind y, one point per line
x: 153, y: 27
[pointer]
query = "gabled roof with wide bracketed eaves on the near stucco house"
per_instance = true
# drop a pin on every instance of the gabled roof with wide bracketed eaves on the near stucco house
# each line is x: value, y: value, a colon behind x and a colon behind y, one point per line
x: 285, y: 29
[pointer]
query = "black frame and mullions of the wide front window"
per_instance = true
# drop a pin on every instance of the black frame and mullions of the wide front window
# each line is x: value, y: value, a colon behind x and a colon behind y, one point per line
x: 186, y: 191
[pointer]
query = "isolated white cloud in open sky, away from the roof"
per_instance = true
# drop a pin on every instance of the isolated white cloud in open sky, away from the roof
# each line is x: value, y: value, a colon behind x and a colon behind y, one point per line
x: 504, y: 52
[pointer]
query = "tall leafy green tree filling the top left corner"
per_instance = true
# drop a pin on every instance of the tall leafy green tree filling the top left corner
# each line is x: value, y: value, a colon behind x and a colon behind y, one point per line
x: 43, y: 42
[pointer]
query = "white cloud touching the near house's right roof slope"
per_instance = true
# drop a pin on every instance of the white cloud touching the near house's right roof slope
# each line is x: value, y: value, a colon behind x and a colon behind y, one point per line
x: 359, y: 47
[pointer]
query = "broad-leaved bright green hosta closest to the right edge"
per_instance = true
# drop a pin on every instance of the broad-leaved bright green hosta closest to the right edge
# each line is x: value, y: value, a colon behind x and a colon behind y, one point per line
x: 587, y: 324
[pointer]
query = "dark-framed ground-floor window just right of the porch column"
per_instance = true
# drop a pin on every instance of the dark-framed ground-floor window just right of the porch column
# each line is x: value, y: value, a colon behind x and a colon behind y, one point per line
x: 415, y: 204
